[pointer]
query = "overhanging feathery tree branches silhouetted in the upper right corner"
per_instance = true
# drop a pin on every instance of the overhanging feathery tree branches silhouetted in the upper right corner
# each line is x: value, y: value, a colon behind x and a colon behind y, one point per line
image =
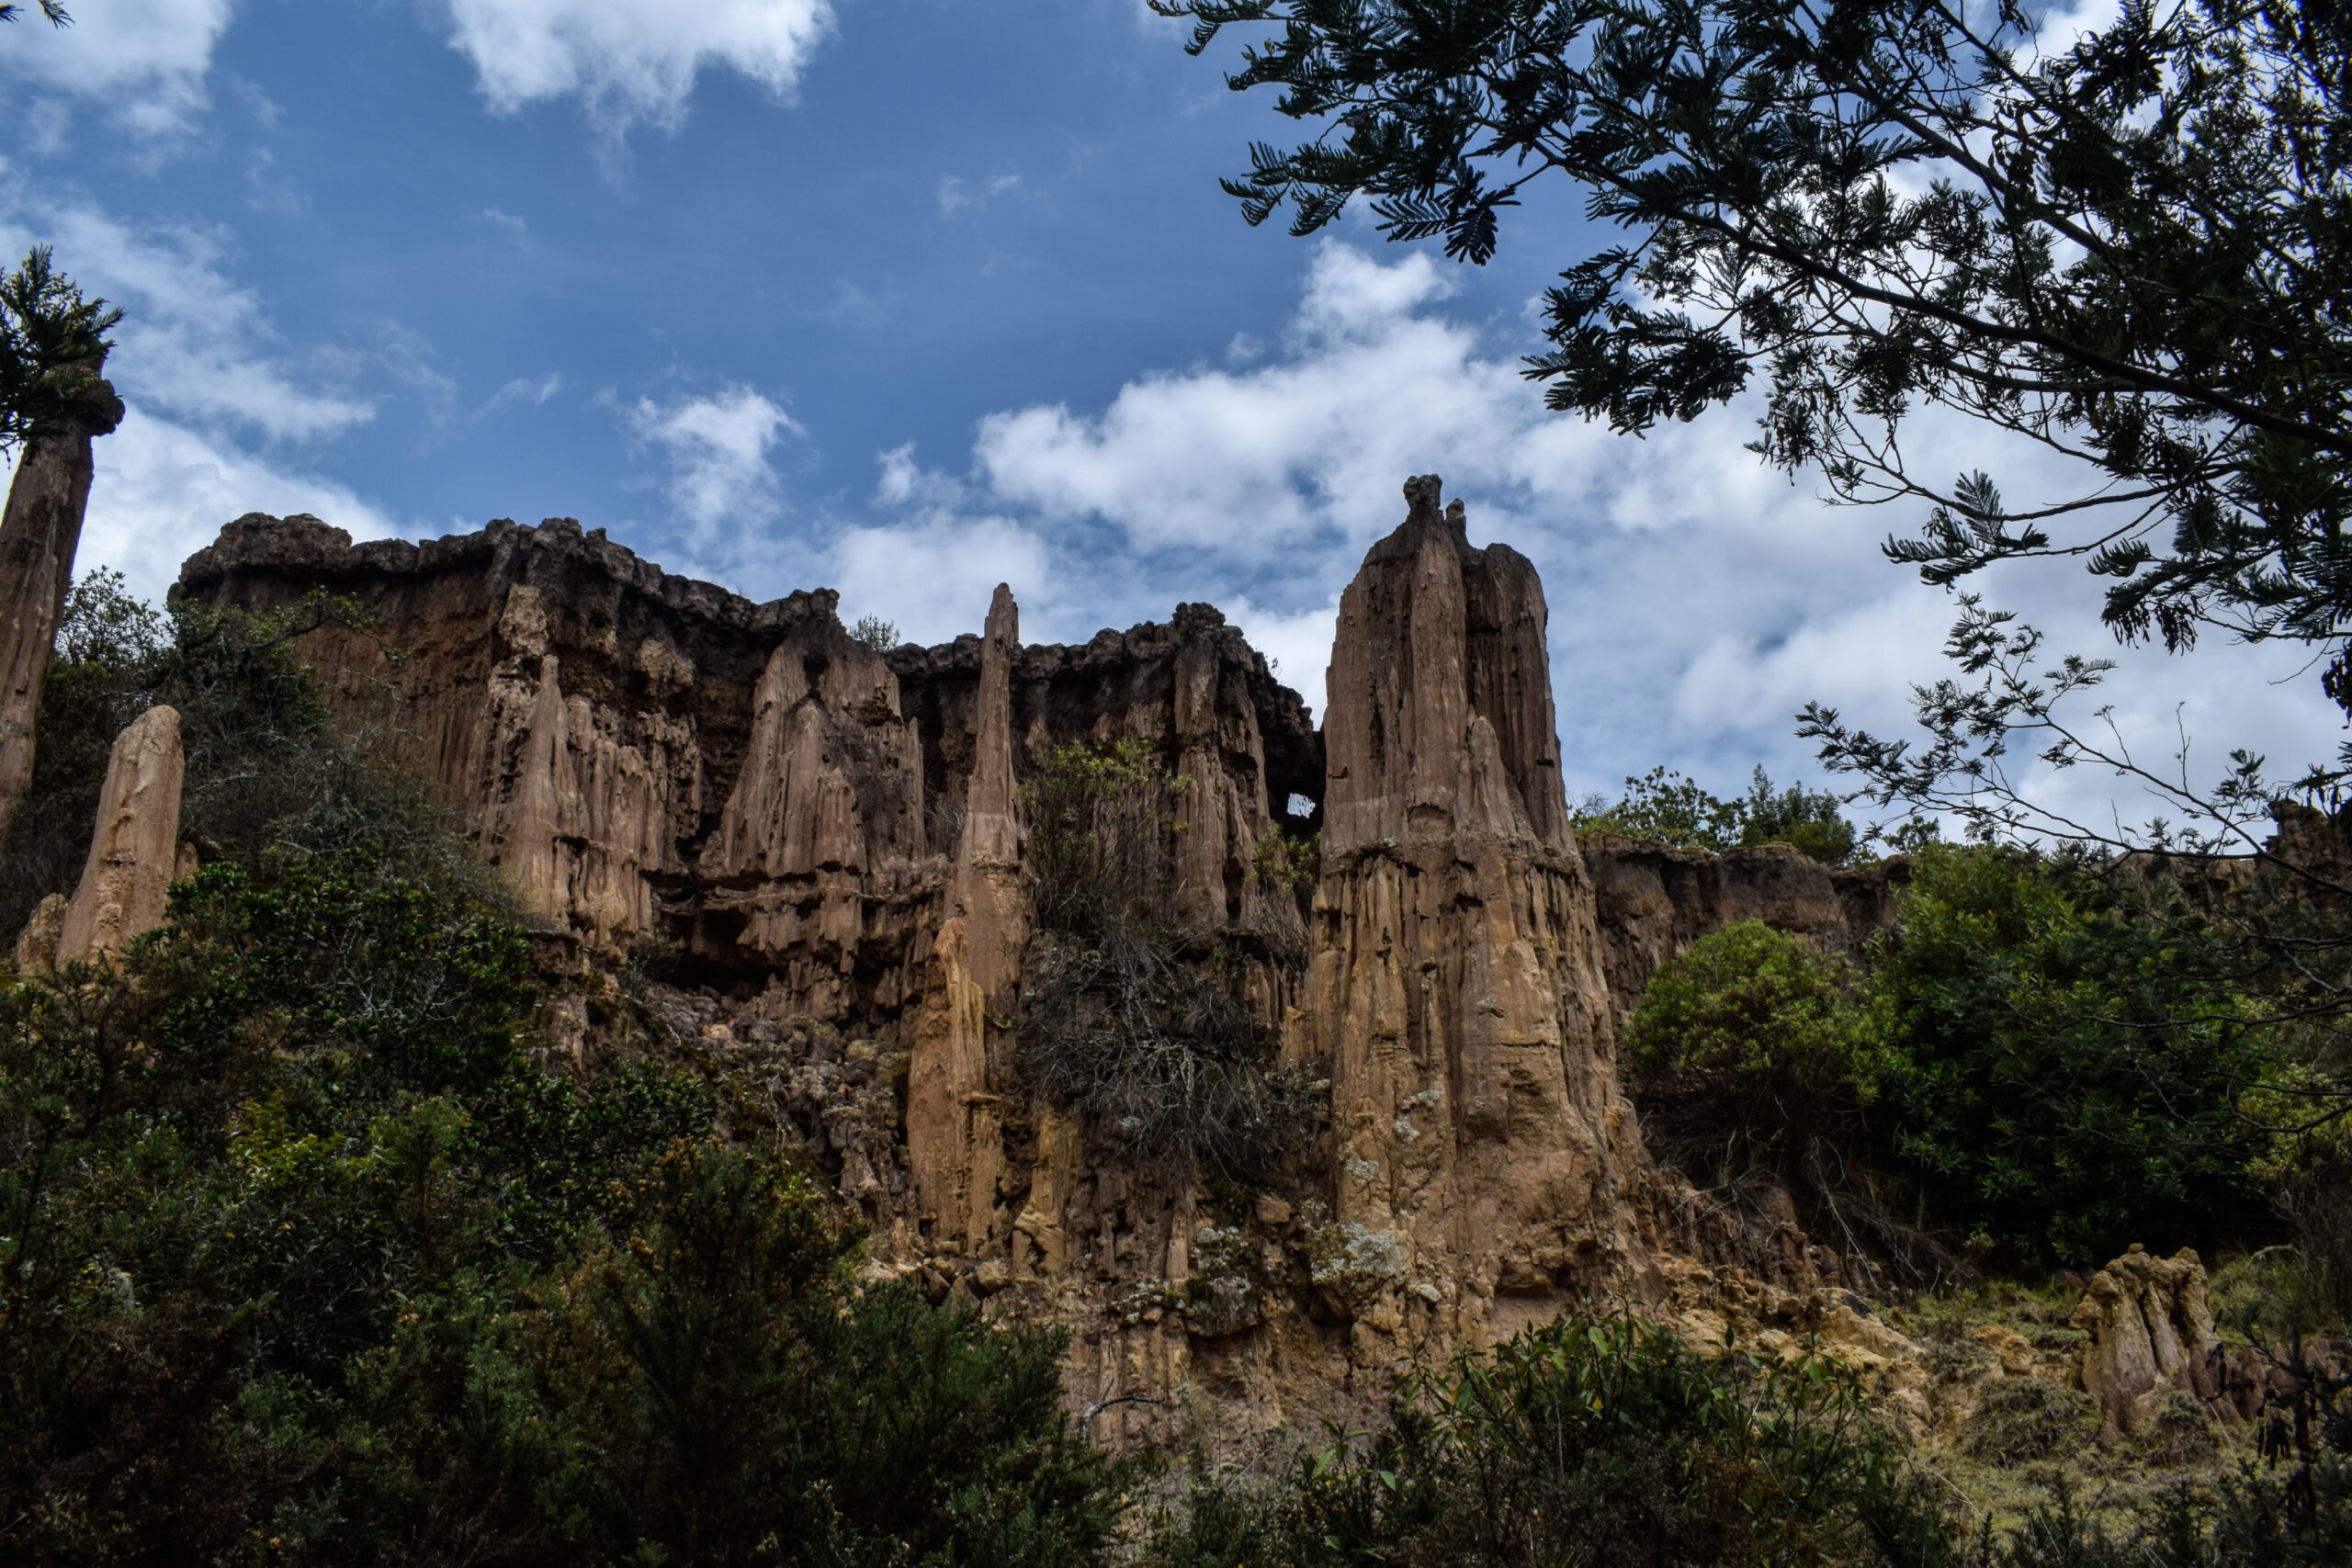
x: 2132, y: 250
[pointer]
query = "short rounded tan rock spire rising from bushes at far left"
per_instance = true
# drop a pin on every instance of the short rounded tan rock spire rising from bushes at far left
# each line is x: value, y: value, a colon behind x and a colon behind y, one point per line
x: 135, y: 850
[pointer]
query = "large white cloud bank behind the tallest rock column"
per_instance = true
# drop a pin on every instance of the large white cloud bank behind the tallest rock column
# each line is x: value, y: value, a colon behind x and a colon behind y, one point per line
x: 1697, y: 596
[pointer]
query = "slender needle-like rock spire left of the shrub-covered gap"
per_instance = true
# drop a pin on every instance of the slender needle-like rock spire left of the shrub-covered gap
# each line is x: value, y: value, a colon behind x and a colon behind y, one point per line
x: 963, y: 1057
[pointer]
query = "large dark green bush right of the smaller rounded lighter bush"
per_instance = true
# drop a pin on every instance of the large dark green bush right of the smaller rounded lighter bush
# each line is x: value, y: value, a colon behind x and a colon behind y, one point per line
x: 2064, y: 1080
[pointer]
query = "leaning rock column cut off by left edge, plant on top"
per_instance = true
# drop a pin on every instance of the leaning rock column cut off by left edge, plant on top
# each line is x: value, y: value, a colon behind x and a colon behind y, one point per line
x: 39, y: 537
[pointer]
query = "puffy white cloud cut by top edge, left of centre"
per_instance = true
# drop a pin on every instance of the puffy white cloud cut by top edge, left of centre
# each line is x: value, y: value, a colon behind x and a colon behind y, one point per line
x: 632, y: 62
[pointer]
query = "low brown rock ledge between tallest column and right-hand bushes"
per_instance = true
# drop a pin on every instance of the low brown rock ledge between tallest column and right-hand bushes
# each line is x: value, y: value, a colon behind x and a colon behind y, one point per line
x: 1655, y: 902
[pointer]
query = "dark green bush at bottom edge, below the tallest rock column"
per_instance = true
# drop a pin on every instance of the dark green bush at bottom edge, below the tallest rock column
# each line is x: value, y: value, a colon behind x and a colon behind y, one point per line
x: 1589, y: 1442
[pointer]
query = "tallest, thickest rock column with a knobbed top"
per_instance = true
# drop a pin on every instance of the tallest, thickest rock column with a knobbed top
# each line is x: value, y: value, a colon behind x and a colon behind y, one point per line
x: 1455, y: 986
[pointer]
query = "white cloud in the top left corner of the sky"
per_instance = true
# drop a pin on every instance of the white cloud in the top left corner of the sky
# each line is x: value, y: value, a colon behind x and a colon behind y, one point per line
x: 145, y: 60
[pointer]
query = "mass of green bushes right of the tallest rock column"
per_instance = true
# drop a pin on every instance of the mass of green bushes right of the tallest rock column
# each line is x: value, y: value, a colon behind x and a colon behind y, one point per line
x: 2024, y: 1064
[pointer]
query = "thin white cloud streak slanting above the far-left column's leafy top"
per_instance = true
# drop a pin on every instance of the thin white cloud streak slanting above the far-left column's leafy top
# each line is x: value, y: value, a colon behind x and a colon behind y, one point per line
x: 194, y: 344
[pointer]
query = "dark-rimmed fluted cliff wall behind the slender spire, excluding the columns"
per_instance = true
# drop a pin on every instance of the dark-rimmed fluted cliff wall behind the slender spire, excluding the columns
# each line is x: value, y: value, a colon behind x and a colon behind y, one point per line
x: 657, y: 758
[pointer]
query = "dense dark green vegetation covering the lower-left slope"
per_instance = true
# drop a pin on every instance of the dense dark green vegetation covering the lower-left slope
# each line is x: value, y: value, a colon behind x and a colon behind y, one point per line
x: 307, y: 1259
